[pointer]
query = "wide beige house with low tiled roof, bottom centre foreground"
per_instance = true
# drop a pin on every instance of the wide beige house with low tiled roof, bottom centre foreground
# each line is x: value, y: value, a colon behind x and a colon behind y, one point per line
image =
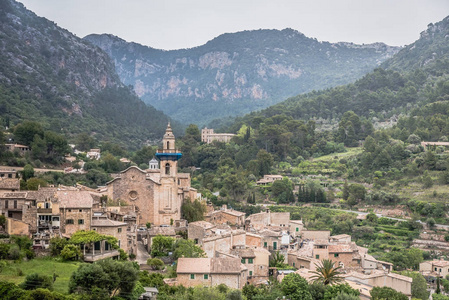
x: 211, y: 272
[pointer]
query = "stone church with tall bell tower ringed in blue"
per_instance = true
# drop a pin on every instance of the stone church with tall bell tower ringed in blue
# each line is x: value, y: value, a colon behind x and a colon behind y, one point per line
x: 156, y: 194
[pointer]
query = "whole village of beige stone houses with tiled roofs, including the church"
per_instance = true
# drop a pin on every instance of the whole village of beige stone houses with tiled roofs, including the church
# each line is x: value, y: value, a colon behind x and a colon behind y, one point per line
x: 238, y: 248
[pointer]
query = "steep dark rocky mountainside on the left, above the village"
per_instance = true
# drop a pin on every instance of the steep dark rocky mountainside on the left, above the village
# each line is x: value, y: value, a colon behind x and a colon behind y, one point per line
x: 49, y: 75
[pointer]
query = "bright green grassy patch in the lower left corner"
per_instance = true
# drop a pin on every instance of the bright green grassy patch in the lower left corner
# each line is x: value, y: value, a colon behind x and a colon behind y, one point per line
x: 63, y: 270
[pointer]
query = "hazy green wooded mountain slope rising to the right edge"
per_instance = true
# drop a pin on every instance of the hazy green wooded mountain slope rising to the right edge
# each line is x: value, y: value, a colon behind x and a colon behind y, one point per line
x: 416, y: 76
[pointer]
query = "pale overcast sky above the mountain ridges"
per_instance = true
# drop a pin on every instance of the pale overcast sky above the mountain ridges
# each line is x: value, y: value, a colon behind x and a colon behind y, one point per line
x: 175, y: 24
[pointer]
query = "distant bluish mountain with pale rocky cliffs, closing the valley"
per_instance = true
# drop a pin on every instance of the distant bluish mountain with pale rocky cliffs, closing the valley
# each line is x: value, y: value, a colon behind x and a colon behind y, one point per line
x: 237, y: 73
